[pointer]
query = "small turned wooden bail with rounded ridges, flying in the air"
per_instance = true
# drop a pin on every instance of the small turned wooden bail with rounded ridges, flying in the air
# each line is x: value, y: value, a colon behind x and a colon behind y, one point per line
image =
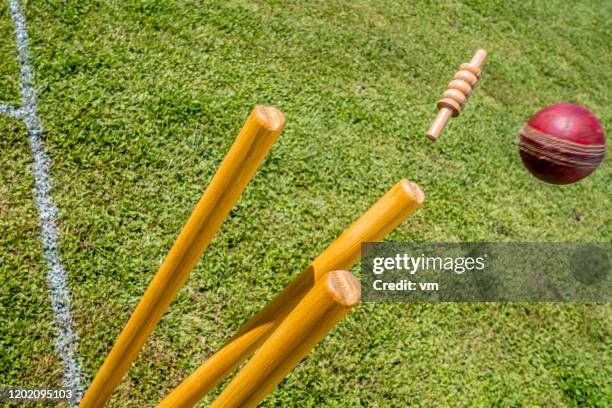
x: 455, y: 97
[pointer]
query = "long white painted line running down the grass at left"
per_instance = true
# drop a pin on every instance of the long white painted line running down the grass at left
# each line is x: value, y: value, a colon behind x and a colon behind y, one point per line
x: 66, y: 343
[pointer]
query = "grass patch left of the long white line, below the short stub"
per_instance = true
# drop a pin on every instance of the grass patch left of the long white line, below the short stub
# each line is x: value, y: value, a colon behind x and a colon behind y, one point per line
x: 25, y: 316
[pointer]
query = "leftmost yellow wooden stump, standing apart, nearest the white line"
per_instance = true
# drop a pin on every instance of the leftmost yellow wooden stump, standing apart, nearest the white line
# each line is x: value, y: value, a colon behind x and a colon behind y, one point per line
x: 261, y: 130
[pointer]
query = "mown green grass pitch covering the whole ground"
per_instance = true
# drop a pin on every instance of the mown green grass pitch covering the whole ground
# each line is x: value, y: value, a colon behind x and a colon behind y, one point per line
x: 141, y: 100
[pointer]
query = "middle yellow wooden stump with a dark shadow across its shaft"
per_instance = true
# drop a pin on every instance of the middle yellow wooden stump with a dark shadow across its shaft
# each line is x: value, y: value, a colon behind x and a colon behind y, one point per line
x: 386, y: 214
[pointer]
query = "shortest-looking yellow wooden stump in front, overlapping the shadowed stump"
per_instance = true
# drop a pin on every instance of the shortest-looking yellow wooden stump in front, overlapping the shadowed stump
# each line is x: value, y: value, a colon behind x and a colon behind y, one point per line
x: 317, y: 313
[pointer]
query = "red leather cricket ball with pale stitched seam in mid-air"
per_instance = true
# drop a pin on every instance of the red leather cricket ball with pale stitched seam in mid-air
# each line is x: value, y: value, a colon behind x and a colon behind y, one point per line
x: 562, y: 143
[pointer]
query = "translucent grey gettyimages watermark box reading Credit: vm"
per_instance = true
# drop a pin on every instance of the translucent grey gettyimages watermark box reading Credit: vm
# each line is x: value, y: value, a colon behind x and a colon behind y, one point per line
x: 486, y: 272
